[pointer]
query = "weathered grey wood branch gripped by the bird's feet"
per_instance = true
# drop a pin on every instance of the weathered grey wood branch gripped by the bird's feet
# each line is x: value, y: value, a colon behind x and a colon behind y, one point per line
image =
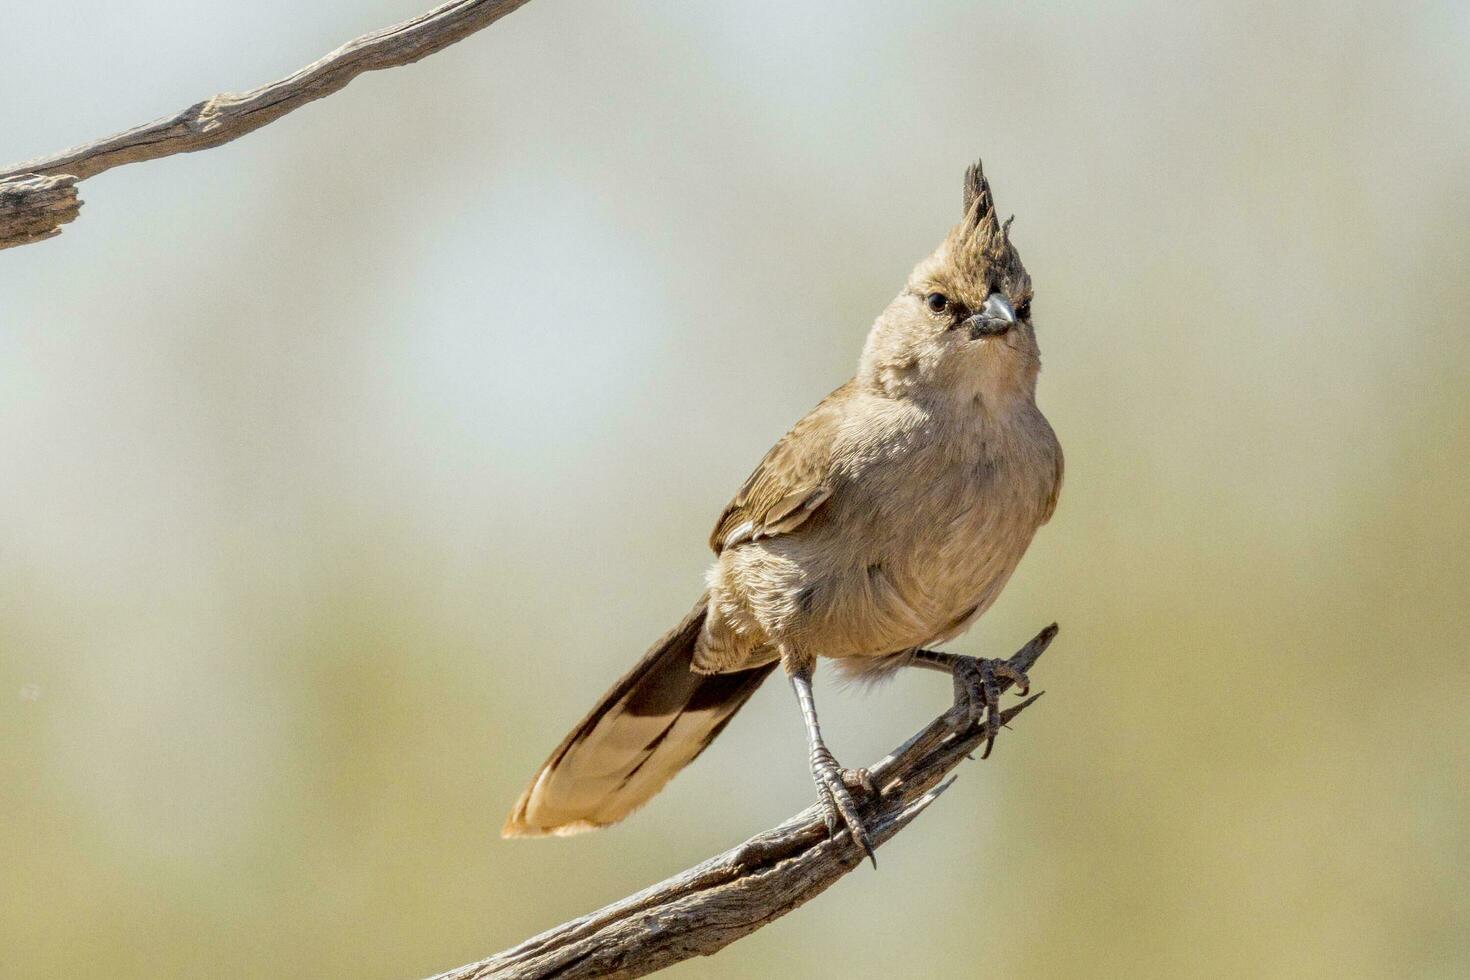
x: 711, y: 906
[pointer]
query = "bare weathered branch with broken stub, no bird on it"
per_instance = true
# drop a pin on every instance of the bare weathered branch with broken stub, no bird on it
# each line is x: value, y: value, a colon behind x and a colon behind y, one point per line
x: 27, y: 215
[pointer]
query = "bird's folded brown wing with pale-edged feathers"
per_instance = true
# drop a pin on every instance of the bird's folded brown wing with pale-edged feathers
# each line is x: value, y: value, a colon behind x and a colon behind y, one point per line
x: 790, y: 486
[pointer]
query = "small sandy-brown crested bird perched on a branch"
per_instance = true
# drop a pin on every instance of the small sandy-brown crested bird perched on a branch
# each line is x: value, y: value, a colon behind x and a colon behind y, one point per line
x: 881, y: 527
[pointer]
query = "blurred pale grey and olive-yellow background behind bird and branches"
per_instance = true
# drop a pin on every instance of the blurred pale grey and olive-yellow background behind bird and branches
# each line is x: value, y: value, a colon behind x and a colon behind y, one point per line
x: 346, y: 466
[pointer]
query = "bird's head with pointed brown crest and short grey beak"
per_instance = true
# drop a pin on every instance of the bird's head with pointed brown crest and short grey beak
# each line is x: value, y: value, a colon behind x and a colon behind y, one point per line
x: 962, y: 327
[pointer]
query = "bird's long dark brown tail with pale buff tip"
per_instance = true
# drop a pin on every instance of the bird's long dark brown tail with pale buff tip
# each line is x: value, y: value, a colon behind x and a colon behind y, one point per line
x: 653, y: 724
